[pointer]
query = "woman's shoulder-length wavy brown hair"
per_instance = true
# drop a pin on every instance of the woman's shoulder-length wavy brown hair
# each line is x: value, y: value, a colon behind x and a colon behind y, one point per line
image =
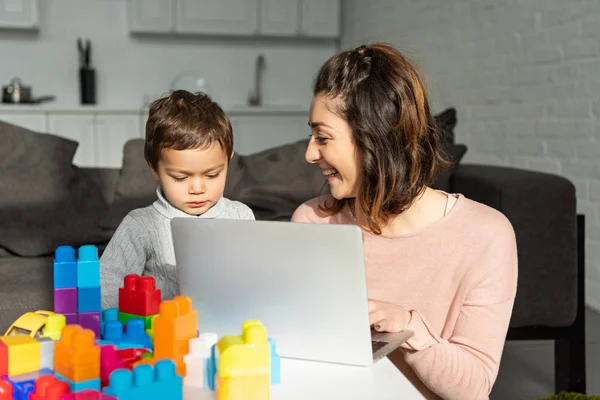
x: 384, y: 100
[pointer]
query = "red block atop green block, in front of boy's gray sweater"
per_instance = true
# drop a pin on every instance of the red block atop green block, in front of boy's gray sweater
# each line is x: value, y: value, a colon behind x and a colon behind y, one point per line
x: 139, y: 296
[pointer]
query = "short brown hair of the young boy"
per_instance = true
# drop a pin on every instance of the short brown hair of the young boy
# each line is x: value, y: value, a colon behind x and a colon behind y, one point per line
x: 183, y: 121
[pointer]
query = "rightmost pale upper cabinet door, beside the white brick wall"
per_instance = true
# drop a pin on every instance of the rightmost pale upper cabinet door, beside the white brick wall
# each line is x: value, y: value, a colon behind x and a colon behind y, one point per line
x: 320, y: 18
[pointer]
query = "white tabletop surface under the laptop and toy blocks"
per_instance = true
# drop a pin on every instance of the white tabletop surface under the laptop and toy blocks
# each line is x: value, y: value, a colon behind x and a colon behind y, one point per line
x: 302, y: 380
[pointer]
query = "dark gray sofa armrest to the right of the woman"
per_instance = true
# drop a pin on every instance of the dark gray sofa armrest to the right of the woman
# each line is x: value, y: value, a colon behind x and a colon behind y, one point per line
x: 543, y: 211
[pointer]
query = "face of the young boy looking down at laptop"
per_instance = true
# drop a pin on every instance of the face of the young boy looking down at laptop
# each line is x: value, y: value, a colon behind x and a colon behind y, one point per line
x: 193, y: 180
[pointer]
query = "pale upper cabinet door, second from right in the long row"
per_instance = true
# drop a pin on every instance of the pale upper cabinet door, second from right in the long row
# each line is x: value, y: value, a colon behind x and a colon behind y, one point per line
x: 279, y: 17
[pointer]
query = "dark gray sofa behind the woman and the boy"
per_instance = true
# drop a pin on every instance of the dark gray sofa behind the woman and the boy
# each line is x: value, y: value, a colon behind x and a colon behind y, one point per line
x: 541, y: 207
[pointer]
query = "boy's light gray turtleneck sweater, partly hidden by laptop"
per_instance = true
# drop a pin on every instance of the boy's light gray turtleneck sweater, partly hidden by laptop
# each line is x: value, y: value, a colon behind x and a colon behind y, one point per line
x: 143, y: 245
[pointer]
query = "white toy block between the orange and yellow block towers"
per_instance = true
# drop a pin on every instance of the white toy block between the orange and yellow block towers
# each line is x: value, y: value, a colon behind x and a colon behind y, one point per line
x: 198, y: 359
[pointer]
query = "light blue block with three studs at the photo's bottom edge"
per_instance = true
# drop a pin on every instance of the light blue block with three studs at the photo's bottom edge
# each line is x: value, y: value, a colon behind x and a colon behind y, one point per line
x: 146, y: 382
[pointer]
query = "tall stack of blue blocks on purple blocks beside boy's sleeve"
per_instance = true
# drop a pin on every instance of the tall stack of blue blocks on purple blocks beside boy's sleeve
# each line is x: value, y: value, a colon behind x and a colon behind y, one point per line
x: 77, y: 286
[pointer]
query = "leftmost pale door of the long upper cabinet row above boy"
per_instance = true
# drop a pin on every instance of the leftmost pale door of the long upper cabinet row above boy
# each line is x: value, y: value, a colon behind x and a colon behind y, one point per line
x: 151, y: 16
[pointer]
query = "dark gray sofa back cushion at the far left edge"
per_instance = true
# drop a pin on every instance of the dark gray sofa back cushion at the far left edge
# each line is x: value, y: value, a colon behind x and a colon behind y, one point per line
x: 45, y: 201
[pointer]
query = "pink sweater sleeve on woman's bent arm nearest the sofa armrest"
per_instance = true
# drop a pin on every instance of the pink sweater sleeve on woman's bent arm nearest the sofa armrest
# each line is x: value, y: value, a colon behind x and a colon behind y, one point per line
x: 466, y: 365
